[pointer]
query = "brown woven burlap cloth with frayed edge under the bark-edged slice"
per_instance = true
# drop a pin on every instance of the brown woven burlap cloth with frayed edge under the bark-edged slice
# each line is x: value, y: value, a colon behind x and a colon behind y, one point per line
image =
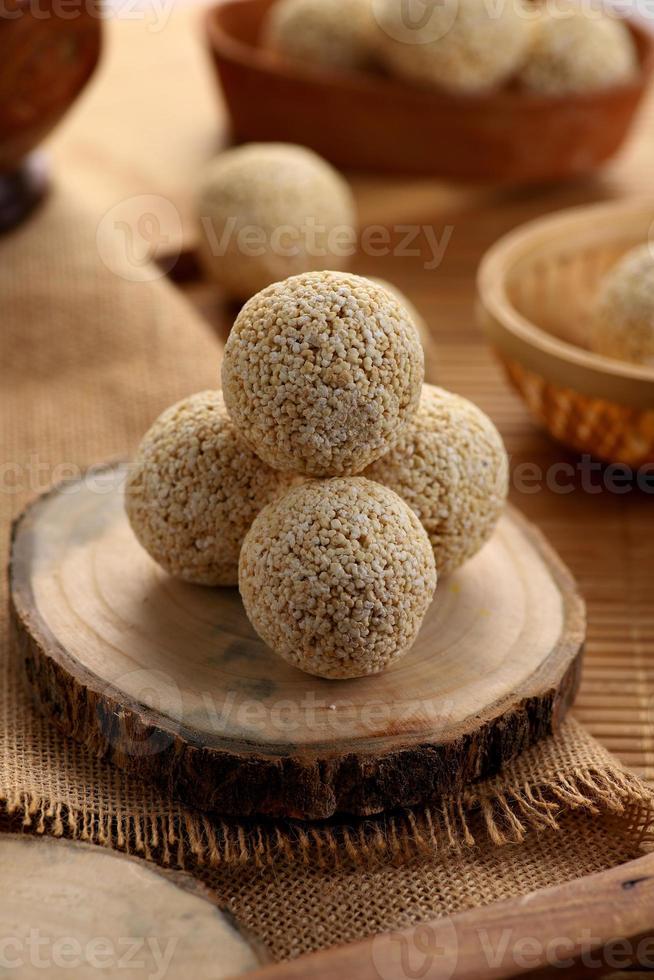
x: 89, y: 358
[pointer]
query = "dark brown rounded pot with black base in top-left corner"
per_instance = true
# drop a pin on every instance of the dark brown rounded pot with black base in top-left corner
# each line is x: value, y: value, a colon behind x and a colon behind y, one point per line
x: 48, y: 57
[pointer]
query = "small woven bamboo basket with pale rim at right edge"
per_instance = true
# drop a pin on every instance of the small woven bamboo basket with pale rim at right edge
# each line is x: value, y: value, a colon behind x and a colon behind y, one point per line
x: 536, y: 287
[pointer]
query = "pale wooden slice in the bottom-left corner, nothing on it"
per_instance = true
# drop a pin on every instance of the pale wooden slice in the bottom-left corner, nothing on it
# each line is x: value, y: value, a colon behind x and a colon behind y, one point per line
x: 69, y: 909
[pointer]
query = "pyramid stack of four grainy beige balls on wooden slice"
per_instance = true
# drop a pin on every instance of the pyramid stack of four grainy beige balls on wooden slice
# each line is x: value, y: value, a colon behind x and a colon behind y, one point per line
x: 326, y: 479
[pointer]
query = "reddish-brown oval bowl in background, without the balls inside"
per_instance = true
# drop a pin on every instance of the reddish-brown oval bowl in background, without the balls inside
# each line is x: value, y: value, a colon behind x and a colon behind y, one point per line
x: 373, y: 123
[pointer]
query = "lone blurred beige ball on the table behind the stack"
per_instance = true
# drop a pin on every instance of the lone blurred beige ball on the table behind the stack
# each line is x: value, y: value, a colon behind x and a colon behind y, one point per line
x: 267, y: 211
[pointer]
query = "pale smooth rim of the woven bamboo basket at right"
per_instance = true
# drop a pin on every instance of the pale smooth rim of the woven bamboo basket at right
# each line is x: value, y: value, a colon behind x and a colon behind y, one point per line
x: 531, y: 345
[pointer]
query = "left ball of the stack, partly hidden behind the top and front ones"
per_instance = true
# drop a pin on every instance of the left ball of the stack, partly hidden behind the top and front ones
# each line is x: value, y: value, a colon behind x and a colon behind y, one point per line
x: 194, y: 489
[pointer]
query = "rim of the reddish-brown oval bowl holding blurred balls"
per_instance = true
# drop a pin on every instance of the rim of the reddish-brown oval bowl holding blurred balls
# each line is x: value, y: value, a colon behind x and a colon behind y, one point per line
x: 229, y: 48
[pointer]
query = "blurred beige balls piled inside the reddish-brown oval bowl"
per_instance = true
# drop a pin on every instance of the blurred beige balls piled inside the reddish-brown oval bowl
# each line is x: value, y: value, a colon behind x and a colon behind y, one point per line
x: 550, y: 47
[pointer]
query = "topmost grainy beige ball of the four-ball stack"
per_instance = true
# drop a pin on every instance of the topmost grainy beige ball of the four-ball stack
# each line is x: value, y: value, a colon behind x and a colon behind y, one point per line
x: 322, y: 373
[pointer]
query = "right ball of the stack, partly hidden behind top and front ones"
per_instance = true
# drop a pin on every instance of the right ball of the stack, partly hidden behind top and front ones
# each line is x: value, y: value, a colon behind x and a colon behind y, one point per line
x: 451, y: 468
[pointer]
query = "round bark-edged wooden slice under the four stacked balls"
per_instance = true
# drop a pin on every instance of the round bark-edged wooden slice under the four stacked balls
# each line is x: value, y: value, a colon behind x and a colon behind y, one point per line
x: 171, y: 682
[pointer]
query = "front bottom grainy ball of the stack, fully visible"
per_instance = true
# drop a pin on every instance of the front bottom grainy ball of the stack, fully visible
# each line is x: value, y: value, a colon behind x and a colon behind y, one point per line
x: 336, y: 577
